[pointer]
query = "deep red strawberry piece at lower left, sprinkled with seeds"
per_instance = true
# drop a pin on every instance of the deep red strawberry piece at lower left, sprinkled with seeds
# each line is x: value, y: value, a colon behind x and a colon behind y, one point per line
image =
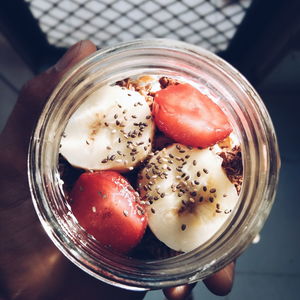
x: 107, y: 207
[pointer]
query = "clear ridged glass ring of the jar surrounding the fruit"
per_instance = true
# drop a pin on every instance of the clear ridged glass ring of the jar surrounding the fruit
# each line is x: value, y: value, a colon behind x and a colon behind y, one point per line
x: 233, y: 94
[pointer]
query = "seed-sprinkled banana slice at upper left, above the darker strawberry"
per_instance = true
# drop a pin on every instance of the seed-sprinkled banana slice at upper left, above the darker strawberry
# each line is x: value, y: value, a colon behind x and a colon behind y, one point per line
x: 112, y: 129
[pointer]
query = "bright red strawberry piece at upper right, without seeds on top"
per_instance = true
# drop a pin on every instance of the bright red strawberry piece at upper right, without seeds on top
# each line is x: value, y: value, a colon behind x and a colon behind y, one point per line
x: 189, y: 117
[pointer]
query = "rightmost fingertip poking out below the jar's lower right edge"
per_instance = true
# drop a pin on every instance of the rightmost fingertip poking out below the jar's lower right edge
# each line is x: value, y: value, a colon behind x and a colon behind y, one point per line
x: 221, y: 282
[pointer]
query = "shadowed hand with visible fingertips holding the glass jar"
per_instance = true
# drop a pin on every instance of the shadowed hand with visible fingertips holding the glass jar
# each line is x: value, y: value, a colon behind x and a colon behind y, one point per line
x: 31, y: 267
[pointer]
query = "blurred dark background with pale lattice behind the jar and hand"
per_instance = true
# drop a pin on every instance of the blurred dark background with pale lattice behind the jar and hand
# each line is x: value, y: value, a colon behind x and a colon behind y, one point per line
x: 260, y: 38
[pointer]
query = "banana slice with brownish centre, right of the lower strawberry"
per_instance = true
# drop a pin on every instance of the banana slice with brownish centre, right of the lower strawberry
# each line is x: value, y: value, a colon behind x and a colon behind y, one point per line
x: 189, y: 195
